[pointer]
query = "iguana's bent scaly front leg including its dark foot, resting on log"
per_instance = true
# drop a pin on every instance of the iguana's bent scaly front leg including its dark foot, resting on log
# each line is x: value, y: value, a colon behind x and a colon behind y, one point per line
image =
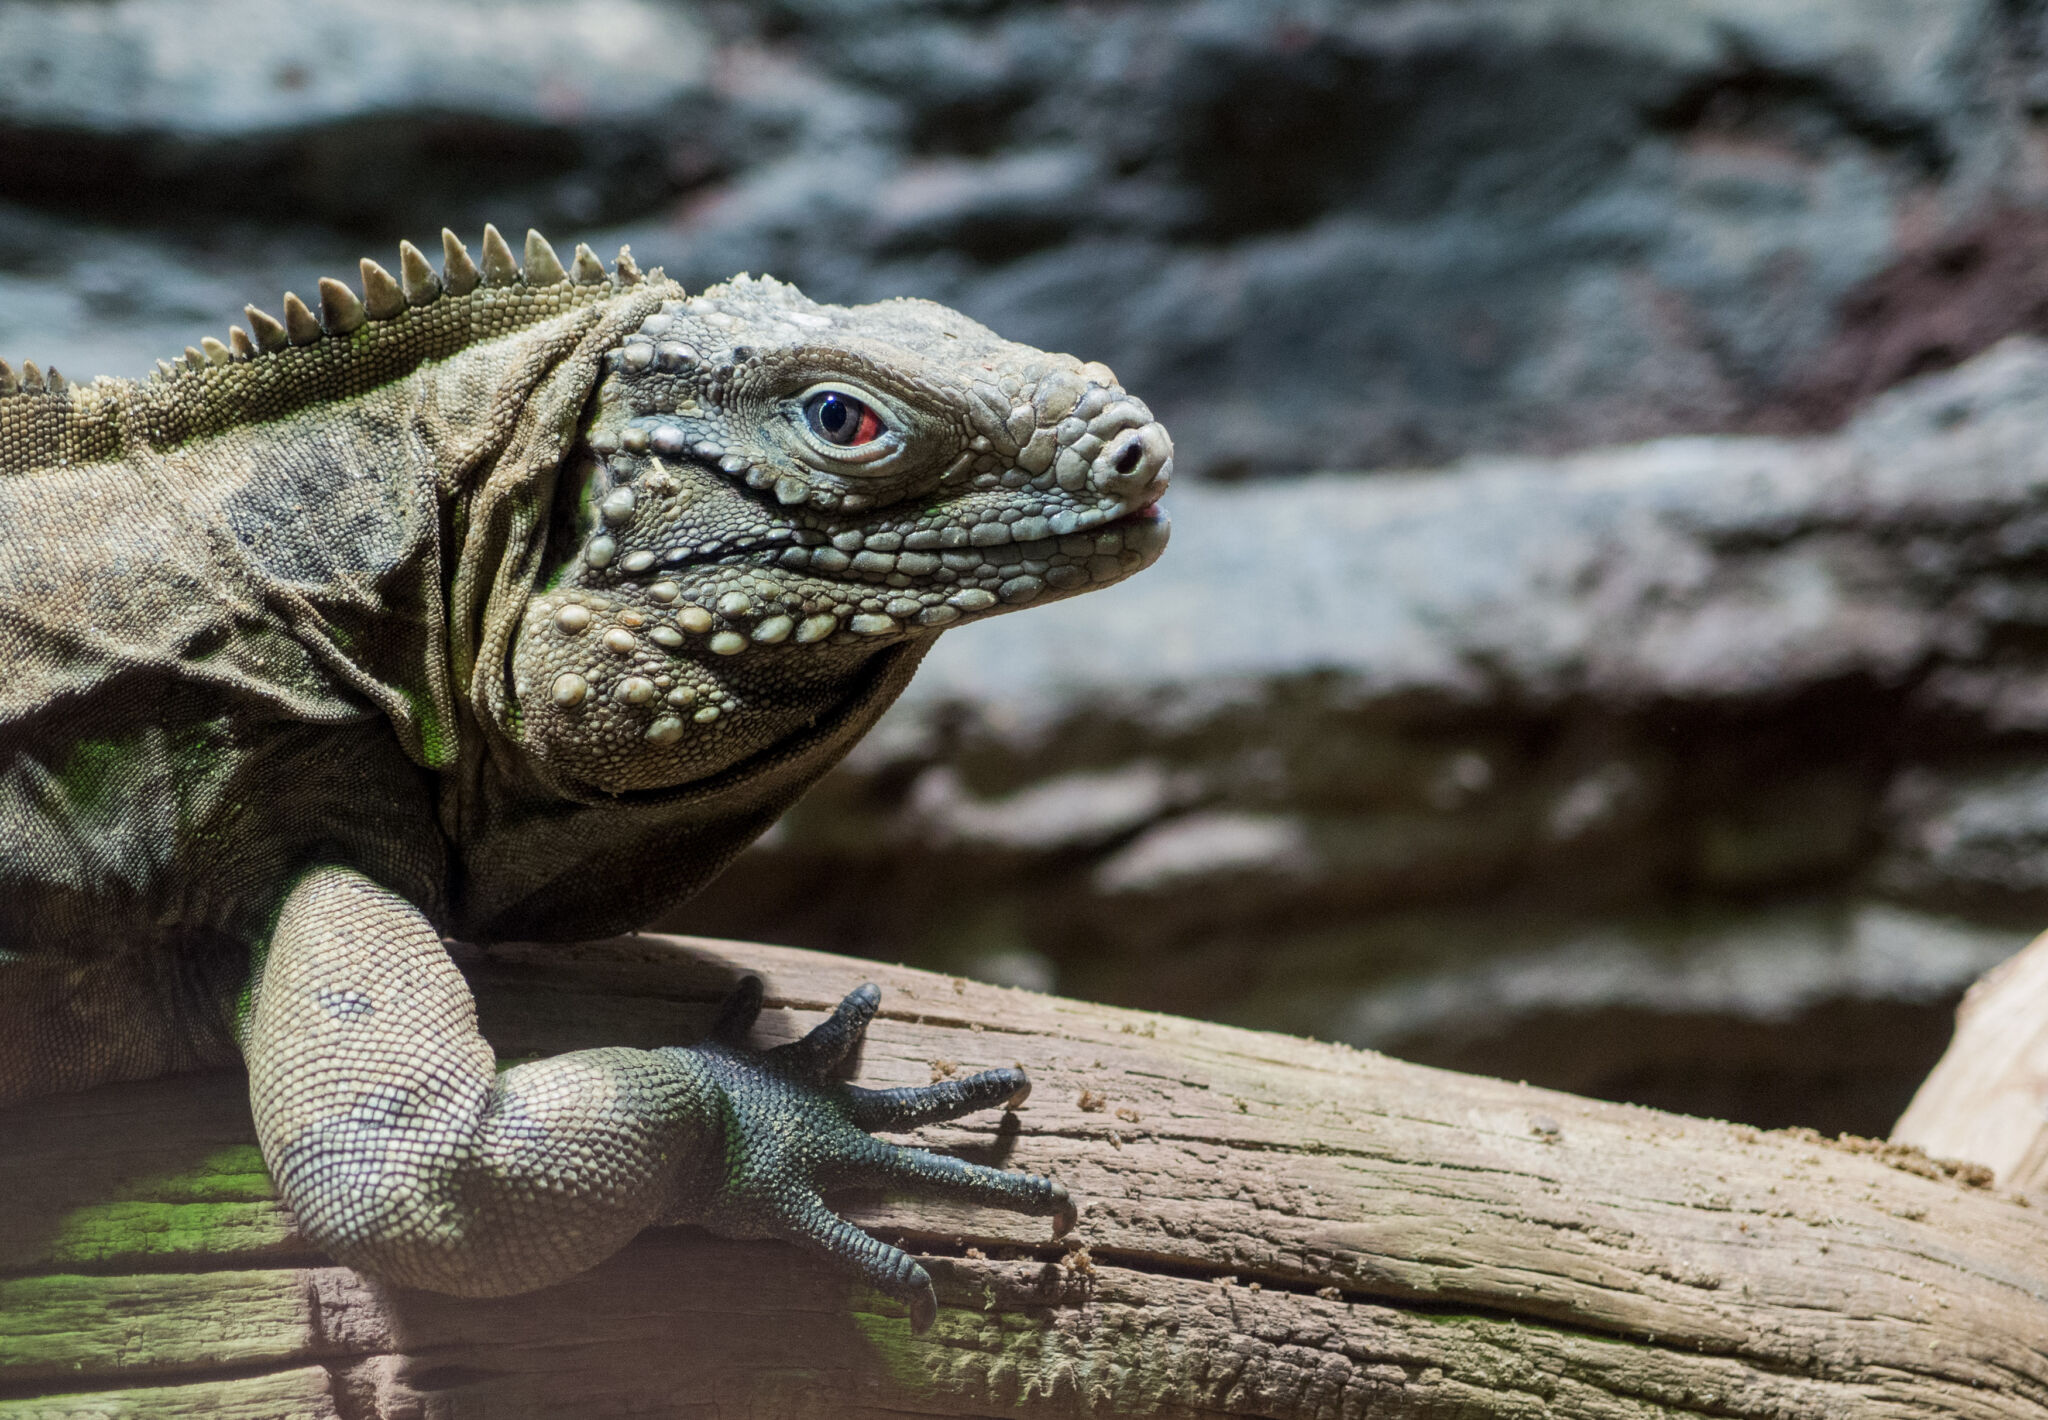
x: 404, y: 1153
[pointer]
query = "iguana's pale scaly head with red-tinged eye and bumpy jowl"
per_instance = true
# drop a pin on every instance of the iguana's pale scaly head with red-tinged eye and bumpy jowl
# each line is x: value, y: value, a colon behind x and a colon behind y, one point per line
x: 769, y: 493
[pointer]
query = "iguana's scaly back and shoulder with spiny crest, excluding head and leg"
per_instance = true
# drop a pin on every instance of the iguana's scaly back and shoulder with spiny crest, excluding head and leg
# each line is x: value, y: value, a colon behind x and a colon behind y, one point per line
x: 224, y: 610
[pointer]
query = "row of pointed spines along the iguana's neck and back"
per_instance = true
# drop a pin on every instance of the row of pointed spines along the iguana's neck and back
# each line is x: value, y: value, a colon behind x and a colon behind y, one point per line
x: 351, y: 345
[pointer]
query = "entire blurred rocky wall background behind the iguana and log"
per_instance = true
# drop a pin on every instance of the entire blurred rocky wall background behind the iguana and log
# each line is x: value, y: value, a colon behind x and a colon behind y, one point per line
x: 1459, y: 722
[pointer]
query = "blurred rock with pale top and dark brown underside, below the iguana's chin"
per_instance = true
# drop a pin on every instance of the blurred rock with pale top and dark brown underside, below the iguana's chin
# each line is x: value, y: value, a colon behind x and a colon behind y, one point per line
x: 1564, y: 767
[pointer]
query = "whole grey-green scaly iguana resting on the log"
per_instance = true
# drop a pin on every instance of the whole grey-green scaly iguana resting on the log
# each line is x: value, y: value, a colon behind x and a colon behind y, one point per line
x: 503, y: 603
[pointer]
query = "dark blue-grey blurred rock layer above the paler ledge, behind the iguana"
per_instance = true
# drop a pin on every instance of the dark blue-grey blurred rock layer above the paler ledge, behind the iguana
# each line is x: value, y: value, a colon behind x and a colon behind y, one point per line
x: 1314, y: 235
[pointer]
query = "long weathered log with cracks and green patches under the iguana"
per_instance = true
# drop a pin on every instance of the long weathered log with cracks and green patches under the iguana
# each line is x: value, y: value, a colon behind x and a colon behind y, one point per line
x: 1271, y: 1228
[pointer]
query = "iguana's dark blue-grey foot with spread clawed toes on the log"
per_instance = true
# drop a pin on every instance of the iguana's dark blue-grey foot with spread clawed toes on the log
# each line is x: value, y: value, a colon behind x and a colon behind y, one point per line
x: 792, y: 1132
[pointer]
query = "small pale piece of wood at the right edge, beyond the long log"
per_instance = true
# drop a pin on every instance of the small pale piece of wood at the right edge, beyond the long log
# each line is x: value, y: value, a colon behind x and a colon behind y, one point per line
x: 1988, y: 1097
